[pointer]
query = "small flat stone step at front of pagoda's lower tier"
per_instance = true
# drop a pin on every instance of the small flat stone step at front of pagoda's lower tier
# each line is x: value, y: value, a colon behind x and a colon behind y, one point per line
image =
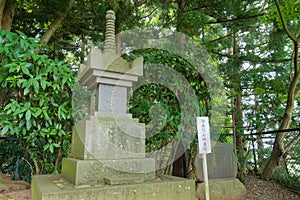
x: 120, y: 180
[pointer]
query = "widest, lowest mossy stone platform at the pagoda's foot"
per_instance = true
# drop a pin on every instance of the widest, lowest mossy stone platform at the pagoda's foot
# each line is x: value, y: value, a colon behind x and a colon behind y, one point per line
x: 54, y: 187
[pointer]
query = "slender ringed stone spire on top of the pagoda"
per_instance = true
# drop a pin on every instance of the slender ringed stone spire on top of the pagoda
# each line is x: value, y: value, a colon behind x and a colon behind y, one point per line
x: 110, y: 43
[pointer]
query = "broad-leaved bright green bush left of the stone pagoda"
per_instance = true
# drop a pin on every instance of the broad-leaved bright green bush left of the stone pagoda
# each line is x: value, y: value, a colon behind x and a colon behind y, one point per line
x: 36, y: 101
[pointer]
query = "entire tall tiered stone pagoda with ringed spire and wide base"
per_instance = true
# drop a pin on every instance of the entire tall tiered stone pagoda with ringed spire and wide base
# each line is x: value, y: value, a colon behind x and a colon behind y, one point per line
x: 108, y: 146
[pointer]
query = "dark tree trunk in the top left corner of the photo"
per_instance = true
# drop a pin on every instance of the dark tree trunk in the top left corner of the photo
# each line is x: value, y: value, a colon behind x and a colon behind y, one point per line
x: 7, y: 11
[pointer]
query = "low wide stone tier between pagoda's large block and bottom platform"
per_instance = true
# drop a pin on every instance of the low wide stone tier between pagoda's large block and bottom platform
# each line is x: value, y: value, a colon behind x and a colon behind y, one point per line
x: 81, y: 172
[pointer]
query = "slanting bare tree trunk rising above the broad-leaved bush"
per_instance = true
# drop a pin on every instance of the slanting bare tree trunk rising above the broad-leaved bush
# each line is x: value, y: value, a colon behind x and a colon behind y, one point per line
x: 55, y: 24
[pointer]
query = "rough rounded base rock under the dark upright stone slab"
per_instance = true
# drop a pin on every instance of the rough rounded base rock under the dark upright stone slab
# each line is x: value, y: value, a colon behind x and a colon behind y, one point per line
x: 222, y: 189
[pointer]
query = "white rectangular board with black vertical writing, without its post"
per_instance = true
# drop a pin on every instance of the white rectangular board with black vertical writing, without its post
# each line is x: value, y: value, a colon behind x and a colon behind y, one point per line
x: 203, y: 135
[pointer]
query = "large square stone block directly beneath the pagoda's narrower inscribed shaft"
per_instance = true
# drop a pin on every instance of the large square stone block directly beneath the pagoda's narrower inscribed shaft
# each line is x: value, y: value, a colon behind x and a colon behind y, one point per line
x: 105, y: 136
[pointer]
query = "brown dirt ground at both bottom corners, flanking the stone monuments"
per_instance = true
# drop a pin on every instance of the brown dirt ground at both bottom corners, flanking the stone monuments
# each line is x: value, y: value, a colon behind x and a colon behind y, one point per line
x: 257, y: 189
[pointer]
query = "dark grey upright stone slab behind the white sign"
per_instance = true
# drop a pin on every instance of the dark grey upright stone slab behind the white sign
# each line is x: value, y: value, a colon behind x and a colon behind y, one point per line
x: 221, y: 163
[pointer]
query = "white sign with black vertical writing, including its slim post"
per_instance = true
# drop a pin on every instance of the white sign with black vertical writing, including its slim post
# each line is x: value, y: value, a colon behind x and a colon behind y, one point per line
x: 204, y: 148
